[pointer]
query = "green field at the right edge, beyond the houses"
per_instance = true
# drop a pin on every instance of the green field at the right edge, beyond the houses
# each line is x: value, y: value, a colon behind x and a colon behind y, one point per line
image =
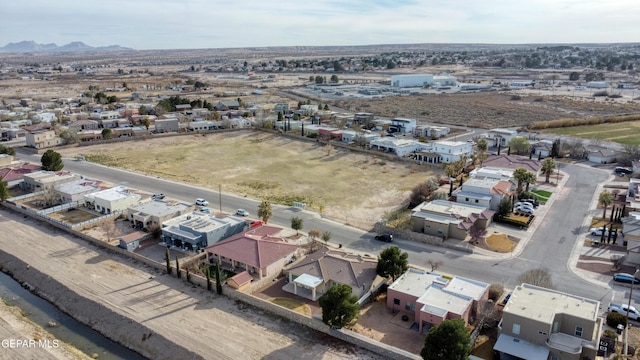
x: 624, y: 133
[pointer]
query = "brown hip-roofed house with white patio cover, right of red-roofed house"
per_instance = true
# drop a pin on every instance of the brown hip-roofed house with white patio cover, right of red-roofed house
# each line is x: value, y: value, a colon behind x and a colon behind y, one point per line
x: 312, y: 276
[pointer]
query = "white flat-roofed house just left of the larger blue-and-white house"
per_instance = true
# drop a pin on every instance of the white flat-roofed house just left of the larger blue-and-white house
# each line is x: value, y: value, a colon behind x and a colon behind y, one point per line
x: 146, y: 215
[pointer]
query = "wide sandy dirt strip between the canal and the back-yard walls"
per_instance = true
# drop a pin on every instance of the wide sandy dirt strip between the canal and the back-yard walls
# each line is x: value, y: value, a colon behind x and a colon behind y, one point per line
x: 207, y: 325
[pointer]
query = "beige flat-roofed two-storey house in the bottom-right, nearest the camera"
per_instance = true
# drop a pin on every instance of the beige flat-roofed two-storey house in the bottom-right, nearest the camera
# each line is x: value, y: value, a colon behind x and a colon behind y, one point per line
x: 540, y: 324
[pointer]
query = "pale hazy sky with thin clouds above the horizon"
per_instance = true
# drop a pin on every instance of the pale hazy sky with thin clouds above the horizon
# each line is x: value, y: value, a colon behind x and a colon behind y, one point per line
x: 184, y: 24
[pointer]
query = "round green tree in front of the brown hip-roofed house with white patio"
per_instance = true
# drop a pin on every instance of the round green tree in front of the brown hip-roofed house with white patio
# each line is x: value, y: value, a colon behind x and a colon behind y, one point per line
x: 339, y: 307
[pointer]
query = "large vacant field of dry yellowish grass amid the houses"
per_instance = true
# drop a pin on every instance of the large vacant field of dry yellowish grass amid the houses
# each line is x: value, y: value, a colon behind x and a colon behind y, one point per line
x: 341, y: 184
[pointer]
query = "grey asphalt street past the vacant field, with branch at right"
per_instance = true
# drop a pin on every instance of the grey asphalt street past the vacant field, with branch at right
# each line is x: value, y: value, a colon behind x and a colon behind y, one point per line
x: 549, y: 247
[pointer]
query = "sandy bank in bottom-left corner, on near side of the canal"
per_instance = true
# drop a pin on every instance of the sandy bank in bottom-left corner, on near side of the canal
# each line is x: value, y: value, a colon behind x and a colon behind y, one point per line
x: 14, y: 327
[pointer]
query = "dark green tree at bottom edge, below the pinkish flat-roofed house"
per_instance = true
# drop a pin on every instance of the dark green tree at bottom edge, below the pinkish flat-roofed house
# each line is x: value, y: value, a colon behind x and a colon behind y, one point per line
x: 450, y: 340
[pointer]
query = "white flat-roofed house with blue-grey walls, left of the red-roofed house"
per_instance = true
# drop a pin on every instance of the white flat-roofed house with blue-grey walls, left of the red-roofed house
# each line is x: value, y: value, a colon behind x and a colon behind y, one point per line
x: 194, y: 231
